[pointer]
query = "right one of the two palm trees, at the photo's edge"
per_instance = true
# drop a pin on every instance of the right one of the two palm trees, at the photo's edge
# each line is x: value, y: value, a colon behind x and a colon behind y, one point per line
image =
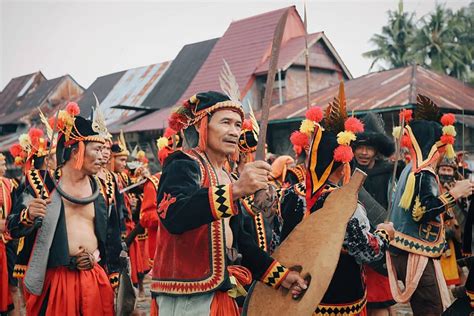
x: 443, y: 42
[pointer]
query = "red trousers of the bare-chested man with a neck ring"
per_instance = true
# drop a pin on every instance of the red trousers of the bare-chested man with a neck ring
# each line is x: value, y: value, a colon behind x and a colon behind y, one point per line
x: 73, y: 293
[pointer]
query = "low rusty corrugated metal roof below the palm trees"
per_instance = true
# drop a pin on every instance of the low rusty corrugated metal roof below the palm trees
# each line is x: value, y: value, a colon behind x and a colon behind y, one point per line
x: 386, y: 89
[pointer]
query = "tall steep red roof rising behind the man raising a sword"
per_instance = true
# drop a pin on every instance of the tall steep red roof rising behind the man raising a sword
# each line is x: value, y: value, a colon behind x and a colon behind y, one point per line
x: 244, y: 46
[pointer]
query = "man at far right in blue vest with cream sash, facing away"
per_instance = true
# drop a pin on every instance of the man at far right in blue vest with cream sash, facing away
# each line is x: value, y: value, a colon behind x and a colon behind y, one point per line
x: 418, y: 211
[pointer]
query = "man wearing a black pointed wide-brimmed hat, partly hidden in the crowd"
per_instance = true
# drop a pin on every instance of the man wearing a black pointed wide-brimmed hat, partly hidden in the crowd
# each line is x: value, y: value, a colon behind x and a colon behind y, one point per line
x: 371, y: 150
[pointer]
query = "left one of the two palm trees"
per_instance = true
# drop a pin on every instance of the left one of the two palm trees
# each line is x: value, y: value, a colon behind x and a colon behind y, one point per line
x: 393, y: 45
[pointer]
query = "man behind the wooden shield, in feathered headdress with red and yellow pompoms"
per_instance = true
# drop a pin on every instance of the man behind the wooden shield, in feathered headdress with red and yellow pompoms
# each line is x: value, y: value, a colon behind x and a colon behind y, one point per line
x: 329, y: 156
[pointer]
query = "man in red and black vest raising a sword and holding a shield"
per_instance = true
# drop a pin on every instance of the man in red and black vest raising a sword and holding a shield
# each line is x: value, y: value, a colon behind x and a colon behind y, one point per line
x: 200, y: 235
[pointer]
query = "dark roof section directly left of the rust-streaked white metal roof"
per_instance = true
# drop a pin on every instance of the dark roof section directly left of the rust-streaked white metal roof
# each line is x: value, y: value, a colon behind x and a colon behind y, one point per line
x: 101, y: 87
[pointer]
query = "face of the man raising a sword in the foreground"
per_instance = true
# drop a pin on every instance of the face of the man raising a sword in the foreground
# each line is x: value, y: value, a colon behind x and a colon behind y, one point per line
x: 223, y: 132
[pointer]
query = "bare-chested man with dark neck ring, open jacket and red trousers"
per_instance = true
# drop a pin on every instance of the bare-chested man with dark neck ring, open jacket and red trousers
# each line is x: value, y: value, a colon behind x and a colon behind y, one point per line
x: 76, y: 249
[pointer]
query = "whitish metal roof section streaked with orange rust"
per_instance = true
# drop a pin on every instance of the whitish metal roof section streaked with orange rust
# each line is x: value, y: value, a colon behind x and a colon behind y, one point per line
x: 131, y: 90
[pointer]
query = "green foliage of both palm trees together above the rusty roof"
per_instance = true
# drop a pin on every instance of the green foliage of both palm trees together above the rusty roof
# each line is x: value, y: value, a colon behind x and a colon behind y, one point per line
x: 442, y: 40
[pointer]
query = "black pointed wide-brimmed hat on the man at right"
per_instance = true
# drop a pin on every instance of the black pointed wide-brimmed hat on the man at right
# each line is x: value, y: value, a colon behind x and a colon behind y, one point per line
x: 374, y: 135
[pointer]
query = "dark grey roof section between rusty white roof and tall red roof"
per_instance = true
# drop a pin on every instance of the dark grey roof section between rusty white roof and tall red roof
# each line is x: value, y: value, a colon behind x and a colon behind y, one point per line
x: 179, y: 74
